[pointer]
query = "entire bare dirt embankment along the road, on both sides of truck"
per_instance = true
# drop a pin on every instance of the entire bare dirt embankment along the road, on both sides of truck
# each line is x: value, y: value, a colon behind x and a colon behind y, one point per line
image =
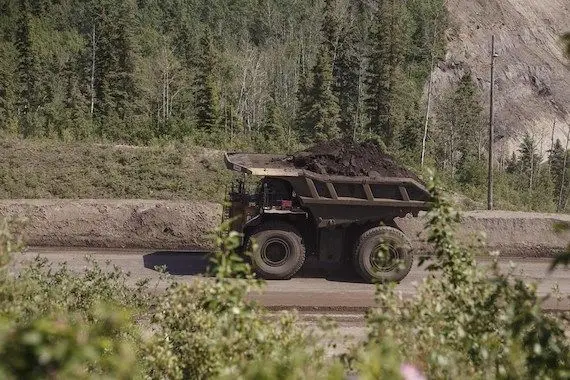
x: 186, y: 225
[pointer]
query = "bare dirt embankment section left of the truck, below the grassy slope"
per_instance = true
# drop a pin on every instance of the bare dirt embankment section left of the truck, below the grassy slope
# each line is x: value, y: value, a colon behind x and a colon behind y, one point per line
x: 115, y: 223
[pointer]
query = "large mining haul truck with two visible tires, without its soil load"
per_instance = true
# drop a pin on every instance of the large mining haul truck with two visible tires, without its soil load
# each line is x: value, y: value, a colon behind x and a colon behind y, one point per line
x: 291, y: 213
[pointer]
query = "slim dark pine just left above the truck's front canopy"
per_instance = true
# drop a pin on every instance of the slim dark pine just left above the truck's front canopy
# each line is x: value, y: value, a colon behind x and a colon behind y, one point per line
x: 207, y: 94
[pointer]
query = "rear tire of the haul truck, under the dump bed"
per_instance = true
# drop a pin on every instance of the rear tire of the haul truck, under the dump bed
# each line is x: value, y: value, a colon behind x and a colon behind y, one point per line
x: 370, y: 259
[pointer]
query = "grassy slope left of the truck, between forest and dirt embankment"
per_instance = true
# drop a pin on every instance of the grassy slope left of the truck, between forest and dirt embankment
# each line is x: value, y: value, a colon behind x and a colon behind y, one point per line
x: 55, y: 169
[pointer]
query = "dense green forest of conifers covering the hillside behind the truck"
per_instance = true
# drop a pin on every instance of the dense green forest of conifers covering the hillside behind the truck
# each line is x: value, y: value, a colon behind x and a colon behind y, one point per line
x: 269, y: 75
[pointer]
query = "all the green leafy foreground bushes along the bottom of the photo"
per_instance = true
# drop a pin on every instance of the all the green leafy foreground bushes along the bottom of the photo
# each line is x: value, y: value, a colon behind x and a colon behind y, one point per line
x: 464, y: 322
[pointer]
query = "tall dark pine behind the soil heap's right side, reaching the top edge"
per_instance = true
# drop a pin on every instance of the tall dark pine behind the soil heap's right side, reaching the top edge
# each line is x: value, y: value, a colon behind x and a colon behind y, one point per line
x: 388, y: 43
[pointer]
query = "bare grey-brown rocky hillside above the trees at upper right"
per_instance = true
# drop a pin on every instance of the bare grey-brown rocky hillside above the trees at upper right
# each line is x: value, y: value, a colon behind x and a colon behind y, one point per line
x: 533, y: 77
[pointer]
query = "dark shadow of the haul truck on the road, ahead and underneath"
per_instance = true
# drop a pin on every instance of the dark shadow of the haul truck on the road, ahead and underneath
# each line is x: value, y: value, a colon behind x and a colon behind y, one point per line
x: 194, y: 263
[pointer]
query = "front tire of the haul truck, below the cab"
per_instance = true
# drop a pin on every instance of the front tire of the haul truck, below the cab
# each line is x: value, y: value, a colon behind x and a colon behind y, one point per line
x: 280, y: 251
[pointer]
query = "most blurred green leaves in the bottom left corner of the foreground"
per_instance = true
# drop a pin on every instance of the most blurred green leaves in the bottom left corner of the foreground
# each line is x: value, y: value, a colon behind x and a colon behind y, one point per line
x: 68, y: 347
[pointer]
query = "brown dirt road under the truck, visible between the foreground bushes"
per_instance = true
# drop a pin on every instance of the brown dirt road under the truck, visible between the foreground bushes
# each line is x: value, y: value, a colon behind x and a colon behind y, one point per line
x: 313, y: 290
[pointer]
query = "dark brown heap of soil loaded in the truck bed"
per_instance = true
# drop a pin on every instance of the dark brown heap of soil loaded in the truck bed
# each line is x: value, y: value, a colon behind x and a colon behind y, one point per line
x: 344, y: 157
